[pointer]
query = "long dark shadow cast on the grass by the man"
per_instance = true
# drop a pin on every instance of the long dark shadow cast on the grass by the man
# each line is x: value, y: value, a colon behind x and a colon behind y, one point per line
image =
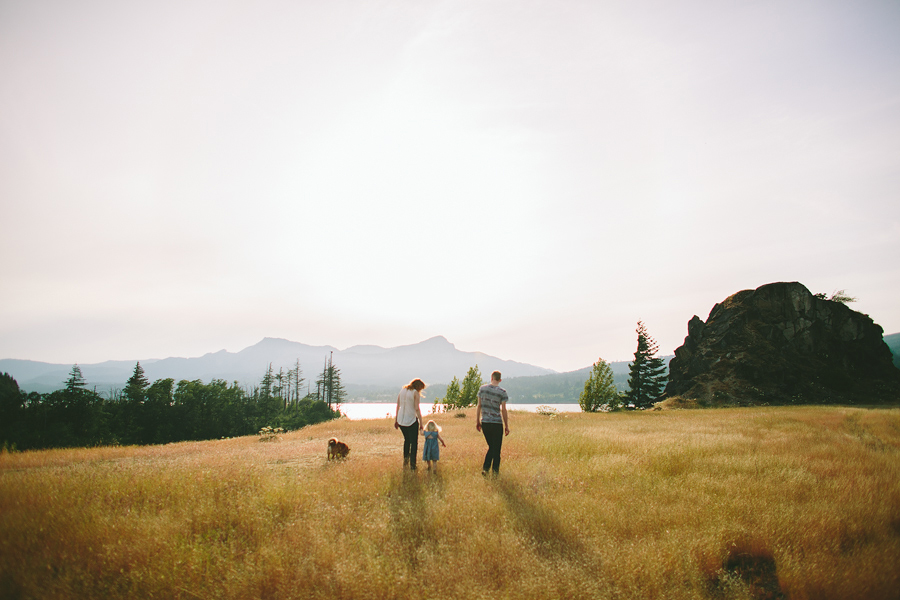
x: 550, y: 537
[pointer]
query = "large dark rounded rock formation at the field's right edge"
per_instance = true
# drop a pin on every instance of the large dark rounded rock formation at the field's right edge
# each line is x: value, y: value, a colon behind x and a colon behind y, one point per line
x: 779, y: 344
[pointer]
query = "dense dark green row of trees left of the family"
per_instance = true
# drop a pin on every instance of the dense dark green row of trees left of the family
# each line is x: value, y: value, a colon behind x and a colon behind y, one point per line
x: 163, y: 411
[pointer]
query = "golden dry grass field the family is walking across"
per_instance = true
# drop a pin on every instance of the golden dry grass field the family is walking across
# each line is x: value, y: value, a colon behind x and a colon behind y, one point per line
x: 799, y: 503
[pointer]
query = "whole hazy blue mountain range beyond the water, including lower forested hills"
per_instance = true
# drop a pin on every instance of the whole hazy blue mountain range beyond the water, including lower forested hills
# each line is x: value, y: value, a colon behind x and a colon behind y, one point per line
x: 370, y: 373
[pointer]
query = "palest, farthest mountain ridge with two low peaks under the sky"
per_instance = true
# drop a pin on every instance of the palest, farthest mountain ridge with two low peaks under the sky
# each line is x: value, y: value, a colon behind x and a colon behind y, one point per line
x: 434, y: 360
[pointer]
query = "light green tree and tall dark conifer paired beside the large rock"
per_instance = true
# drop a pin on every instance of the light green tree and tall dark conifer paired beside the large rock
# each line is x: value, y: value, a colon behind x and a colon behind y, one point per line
x: 646, y: 380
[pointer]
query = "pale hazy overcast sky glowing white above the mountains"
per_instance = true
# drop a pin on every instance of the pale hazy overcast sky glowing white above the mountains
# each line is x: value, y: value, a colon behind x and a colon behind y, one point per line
x: 525, y: 178
